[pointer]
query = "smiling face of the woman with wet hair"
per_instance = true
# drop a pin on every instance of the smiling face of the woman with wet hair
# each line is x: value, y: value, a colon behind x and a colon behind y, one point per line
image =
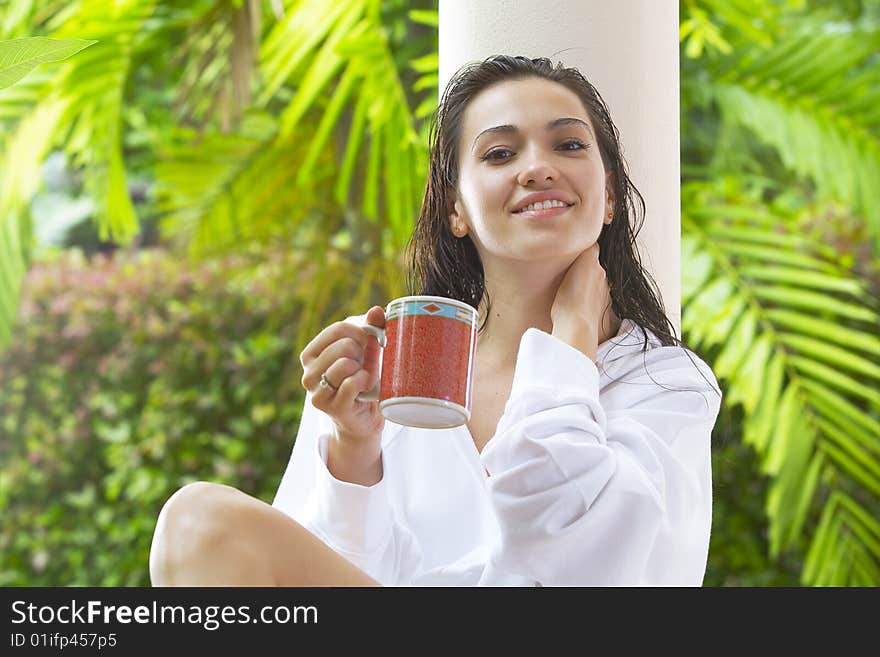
x: 520, y: 138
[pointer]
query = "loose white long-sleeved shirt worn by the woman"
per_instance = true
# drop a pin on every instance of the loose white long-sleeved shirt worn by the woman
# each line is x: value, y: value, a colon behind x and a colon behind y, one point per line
x: 596, y: 476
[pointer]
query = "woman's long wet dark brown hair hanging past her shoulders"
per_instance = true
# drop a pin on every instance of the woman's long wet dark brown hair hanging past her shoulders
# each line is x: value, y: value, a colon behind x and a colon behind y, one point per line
x: 445, y: 265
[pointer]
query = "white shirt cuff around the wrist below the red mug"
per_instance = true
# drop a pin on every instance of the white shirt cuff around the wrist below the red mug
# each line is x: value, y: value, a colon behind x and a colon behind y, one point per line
x: 353, y: 518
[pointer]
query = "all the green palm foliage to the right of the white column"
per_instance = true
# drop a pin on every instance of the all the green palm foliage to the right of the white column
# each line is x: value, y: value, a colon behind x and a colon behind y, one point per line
x: 780, y: 128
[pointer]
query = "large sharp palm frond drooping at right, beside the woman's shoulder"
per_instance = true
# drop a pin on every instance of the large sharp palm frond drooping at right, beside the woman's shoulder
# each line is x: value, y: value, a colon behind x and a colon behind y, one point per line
x: 797, y: 347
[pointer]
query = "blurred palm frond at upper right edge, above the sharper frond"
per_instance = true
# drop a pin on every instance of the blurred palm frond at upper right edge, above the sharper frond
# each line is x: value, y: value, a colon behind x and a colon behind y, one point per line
x: 813, y: 96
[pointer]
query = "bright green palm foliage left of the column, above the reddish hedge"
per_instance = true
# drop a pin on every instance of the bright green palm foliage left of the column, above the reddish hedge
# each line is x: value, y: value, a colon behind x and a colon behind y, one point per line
x: 244, y: 125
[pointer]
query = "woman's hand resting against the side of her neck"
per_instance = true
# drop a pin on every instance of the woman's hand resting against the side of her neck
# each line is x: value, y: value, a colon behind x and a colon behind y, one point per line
x: 582, y: 315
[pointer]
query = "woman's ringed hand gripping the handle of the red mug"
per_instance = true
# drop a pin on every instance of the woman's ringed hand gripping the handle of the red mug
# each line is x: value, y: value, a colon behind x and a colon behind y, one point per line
x: 349, y: 359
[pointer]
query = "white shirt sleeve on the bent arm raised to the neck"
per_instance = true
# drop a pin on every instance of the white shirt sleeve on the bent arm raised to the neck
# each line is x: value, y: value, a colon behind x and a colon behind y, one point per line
x: 591, y: 493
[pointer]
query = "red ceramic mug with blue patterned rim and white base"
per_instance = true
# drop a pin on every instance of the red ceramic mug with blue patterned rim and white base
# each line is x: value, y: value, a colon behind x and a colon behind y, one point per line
x: 426, y: 363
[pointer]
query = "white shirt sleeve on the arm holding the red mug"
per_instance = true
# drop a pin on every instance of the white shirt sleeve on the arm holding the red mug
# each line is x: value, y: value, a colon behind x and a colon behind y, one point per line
x: 358, y: 522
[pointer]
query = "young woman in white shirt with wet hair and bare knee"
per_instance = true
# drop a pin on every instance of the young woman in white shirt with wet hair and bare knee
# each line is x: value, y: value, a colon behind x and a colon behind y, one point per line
x: 587, y: 457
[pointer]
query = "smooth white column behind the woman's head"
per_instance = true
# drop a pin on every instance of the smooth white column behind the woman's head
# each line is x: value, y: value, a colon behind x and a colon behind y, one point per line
x: 628, y: 49
